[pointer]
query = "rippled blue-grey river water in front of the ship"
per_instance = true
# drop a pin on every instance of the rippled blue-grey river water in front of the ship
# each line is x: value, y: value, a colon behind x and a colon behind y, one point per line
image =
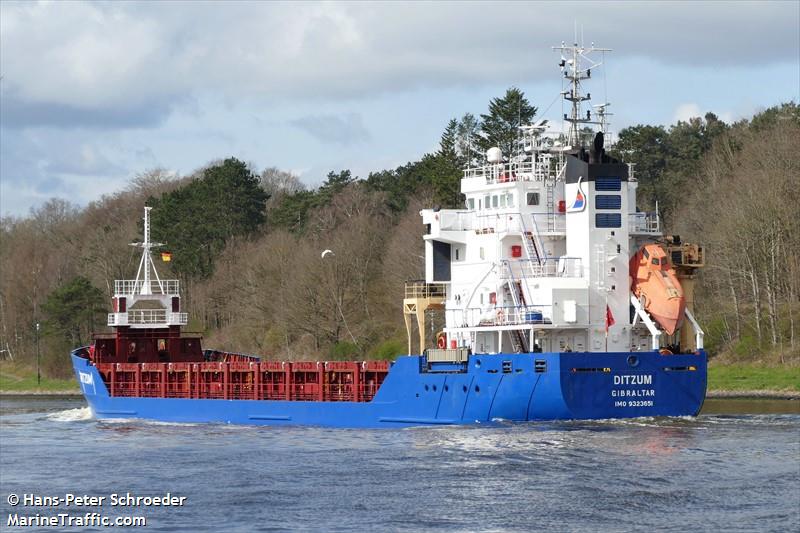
x: 728, y: 469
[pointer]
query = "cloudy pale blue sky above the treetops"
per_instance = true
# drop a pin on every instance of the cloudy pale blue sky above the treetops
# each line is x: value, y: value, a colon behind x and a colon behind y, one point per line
x: 94, y: 93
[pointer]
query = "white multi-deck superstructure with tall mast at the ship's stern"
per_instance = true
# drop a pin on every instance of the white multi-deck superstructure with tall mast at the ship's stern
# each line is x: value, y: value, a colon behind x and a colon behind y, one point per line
x: 538, y: 258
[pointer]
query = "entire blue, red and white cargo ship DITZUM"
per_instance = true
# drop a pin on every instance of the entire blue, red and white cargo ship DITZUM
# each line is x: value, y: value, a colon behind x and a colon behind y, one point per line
x: 561, y: 300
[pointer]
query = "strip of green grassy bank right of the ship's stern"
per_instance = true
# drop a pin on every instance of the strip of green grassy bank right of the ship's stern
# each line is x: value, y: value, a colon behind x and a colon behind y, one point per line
x: 742, y: 377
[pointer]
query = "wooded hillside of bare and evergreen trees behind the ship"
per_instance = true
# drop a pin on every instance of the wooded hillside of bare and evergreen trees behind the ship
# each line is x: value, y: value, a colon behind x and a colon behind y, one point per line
x: 246, y: 243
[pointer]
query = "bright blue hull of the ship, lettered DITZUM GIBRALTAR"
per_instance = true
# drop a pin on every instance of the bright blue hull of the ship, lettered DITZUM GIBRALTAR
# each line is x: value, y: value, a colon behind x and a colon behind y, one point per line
x: 514, y: 387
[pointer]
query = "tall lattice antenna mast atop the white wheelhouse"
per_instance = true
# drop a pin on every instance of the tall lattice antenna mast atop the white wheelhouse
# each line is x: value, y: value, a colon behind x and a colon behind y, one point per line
x: 576, y: 68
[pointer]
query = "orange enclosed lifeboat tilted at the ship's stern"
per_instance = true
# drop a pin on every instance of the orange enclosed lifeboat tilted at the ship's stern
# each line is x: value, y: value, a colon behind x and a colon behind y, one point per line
x: 653, y: 280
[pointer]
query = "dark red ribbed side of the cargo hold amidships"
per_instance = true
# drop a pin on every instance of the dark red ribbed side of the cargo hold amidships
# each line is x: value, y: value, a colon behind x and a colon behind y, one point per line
x: 335, y: 381
